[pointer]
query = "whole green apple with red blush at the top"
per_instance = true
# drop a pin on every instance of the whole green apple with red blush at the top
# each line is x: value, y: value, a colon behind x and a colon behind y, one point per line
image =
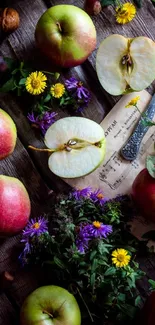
x: 66, y: 34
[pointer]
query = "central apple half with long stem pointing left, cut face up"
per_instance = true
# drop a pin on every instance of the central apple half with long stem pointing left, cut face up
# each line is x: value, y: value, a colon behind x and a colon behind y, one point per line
x: 77, y: 146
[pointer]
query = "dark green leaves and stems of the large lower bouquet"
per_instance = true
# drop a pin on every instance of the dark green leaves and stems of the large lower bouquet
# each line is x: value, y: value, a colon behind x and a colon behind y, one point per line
x: 103, y: 288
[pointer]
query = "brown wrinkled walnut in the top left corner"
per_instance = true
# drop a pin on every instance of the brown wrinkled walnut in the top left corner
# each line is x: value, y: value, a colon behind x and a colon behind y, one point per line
x: 9, y: 20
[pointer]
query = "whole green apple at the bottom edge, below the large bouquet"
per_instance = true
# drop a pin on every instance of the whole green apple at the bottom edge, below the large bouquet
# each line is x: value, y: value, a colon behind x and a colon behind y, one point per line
x: 50, y: 305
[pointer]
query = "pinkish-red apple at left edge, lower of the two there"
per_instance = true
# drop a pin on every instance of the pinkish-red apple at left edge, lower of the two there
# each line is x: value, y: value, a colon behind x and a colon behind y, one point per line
x: 14, y: 205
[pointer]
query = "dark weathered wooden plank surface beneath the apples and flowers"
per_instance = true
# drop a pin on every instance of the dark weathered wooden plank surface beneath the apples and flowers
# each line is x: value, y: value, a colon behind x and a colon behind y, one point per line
x: 31, y: 167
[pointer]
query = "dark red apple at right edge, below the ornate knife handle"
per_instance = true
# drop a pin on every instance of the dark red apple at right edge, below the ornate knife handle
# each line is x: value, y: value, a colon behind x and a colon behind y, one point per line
x: 143, y: 192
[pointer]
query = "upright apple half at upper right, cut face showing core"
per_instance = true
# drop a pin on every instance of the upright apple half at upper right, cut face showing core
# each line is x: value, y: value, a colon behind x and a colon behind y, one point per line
x: 125, y: 64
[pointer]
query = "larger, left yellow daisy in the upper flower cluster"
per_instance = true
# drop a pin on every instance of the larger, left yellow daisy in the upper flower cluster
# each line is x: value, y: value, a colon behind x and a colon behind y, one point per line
x: 36, y: 83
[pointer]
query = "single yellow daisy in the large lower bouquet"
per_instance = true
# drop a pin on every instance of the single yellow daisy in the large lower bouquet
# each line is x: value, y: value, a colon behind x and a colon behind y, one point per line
x: 120, y: 257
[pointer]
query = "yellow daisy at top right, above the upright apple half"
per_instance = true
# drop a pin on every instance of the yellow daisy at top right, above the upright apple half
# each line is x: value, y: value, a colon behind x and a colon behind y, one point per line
x: 125, y: 13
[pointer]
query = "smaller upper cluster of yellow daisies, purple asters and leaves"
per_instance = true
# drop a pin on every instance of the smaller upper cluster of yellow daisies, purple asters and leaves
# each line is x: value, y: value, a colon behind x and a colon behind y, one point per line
x: 45, y: 91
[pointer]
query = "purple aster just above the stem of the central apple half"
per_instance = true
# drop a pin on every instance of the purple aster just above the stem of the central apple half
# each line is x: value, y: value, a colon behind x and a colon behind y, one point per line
x: 44, y: 121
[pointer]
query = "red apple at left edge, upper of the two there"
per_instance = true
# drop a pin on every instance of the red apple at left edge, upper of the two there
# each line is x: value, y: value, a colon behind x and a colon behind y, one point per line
x: 8, y: 135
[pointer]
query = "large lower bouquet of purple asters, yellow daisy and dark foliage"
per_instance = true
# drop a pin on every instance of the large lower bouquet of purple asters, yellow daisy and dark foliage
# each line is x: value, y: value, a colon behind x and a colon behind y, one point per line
x: 85, y: 244
